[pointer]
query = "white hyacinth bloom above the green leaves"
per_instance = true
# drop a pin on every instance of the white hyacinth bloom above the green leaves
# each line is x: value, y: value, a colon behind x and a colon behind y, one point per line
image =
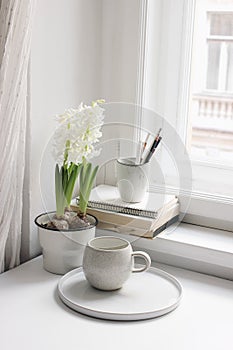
x: 78, y: 132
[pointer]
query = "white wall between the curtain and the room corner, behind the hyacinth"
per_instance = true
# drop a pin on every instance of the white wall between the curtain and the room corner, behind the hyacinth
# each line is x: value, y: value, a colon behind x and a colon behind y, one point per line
x: 64, y: 56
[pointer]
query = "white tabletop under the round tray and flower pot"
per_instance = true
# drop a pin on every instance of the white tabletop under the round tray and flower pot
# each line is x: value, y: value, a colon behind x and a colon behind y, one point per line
x: 33, y: 317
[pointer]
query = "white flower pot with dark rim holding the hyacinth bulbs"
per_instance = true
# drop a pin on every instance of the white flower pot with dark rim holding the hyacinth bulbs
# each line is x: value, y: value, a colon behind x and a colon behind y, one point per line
x: 63, y: 250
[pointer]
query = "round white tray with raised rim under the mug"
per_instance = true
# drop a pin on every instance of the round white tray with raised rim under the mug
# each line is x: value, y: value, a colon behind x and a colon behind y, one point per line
x: 145, y: 295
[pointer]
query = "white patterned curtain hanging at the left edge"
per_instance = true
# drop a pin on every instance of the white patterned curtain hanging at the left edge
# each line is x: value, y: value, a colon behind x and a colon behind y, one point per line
x: 16, y: 17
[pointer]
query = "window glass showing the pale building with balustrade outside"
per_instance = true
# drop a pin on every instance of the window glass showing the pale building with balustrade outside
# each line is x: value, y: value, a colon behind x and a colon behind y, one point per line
x: 211, y: 95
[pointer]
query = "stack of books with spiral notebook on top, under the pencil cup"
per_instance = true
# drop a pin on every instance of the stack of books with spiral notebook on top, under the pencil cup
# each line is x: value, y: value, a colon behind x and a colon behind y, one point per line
x: 145, y: 219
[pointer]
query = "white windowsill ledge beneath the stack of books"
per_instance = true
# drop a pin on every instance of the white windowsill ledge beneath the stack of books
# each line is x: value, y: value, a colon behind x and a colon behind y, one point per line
x: 191, y: 247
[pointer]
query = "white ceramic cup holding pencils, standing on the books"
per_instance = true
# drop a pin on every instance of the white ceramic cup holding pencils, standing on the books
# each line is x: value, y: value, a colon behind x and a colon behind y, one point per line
x: 132, y: 180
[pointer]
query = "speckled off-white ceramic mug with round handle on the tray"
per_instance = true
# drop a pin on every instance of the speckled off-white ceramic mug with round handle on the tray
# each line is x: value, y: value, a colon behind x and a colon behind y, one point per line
x: 109, y: 261
